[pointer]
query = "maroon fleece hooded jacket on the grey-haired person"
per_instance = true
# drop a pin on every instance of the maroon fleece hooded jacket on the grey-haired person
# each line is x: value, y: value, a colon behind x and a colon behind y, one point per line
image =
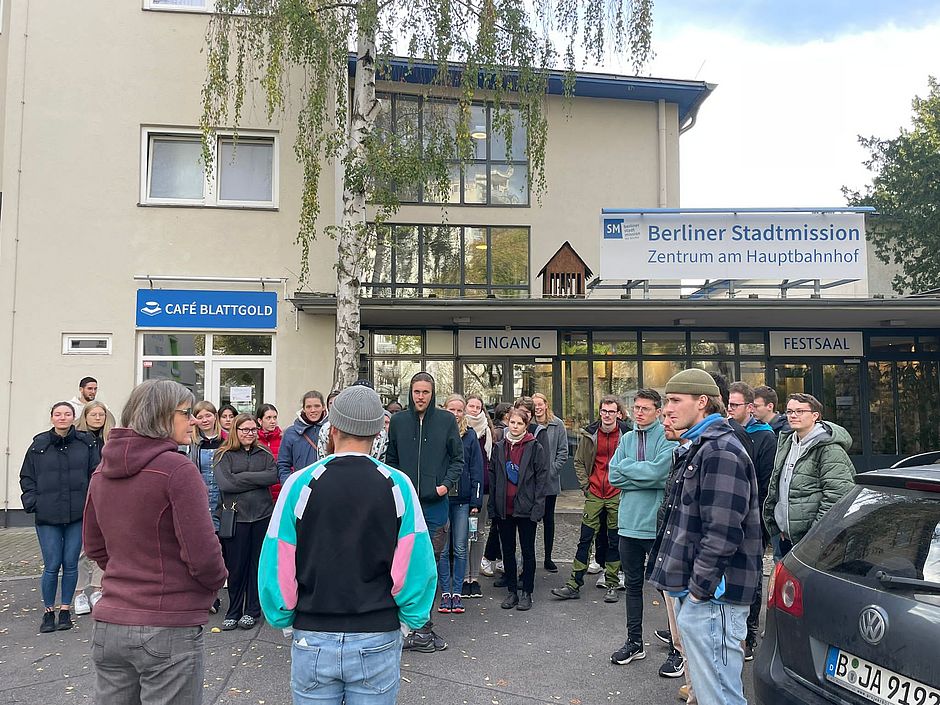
x: 147, y: 526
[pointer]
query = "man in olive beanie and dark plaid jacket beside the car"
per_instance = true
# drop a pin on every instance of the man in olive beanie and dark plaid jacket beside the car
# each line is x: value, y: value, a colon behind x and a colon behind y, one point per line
x: 707, y: 554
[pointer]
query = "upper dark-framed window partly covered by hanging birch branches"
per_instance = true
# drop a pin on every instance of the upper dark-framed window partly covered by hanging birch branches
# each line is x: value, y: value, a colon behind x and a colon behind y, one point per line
x: 497, y: 172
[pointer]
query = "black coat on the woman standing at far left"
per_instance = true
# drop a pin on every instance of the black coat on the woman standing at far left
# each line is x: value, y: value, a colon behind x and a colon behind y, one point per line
x: 55, y: 475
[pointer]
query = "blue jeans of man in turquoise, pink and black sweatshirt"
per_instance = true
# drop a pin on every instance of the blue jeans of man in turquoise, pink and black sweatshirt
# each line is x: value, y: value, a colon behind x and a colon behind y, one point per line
x: 355, y: 668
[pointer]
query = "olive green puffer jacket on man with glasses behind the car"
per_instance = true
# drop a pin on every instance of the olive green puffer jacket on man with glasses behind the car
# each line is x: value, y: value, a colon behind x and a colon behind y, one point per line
x: 821, y: 477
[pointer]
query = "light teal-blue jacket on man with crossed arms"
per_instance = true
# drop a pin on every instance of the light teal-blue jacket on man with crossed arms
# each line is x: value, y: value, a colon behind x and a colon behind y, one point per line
x: 641, y: 482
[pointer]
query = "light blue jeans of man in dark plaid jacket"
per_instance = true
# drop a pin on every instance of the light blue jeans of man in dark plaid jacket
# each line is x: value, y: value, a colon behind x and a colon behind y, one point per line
x: 711, y: 635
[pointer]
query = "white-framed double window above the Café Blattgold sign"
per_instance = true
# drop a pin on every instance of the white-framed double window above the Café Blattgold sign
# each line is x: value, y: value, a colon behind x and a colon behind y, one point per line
x: 173, y: 173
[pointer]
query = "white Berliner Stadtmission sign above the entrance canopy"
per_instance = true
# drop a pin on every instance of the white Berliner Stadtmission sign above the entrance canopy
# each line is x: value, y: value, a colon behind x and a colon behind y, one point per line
x: 675, y: 244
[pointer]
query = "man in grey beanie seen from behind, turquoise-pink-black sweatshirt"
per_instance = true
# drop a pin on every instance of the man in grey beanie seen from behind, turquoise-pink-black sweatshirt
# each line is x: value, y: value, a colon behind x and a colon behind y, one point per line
x: 346, y: 560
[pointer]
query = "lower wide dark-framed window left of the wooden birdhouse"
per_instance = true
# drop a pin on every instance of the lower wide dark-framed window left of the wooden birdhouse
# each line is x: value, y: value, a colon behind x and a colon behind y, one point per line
x: 406, y: 261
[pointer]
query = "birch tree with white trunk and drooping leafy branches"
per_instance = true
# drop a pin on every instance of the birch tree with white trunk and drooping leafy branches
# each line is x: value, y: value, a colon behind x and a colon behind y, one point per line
x: 295, y: 56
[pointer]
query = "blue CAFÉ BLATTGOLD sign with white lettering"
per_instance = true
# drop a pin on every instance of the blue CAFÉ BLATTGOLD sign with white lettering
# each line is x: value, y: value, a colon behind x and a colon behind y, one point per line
x: 174, y: 308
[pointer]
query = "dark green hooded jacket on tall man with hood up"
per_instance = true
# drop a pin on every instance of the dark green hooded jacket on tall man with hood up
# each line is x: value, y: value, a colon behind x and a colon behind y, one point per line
x: 427, y: 449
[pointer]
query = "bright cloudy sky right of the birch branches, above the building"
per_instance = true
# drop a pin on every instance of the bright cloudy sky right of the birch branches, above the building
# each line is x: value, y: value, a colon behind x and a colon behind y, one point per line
x: 798, y: 81
